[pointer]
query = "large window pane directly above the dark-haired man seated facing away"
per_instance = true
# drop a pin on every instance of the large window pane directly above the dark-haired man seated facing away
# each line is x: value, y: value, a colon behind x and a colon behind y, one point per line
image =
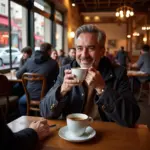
x: 42, y: 28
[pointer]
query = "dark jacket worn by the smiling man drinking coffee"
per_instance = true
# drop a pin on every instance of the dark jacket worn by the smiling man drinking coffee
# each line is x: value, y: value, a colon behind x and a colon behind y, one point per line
x: 115, y: 104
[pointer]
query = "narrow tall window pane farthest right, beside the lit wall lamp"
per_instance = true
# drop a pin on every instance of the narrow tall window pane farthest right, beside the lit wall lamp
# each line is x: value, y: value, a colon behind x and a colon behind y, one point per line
x: 59, y: 35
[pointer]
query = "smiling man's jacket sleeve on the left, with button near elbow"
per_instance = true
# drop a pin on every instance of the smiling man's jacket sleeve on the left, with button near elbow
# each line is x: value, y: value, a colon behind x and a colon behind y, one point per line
x: 52, y: 105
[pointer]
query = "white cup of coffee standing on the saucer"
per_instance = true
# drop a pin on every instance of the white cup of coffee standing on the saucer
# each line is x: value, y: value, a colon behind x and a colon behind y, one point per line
x: 77, y: 123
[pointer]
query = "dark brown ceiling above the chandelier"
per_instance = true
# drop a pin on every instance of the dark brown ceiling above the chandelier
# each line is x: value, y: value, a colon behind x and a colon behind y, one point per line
x: 111, y: 5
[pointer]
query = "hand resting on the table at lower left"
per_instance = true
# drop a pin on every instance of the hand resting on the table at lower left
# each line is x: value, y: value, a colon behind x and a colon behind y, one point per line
x: 41, y: 127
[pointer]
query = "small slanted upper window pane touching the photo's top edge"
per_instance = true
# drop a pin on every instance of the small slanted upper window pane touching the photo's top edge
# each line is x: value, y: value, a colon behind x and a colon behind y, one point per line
x: 42, y: 5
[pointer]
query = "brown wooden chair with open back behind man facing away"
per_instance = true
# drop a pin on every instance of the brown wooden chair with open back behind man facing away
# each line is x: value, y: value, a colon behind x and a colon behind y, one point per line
x: 33, y: 104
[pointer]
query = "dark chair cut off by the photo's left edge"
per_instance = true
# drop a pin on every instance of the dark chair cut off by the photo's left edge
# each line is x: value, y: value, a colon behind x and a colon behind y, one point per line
x: 7, y: 102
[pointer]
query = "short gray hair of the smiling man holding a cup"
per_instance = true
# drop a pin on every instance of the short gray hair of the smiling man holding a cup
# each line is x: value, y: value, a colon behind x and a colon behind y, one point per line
x: 90, y: 28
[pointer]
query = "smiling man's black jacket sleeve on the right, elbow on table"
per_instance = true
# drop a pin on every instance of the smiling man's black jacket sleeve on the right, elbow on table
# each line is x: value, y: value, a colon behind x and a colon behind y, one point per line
x: 119, y: 104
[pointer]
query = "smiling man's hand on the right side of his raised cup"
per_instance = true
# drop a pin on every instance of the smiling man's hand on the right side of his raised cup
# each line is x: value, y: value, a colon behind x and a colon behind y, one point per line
x: 95, y: 79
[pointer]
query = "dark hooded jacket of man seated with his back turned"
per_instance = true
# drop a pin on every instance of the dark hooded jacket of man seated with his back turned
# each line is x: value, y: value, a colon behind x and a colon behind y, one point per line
x: 42, y: 64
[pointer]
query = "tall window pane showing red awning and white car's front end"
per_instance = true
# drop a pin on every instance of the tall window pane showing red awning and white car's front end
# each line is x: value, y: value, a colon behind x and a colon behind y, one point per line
x: 18, y: 31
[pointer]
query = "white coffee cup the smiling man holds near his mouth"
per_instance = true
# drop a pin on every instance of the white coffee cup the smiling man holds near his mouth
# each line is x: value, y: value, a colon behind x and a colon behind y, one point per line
x: 80, y: 73
